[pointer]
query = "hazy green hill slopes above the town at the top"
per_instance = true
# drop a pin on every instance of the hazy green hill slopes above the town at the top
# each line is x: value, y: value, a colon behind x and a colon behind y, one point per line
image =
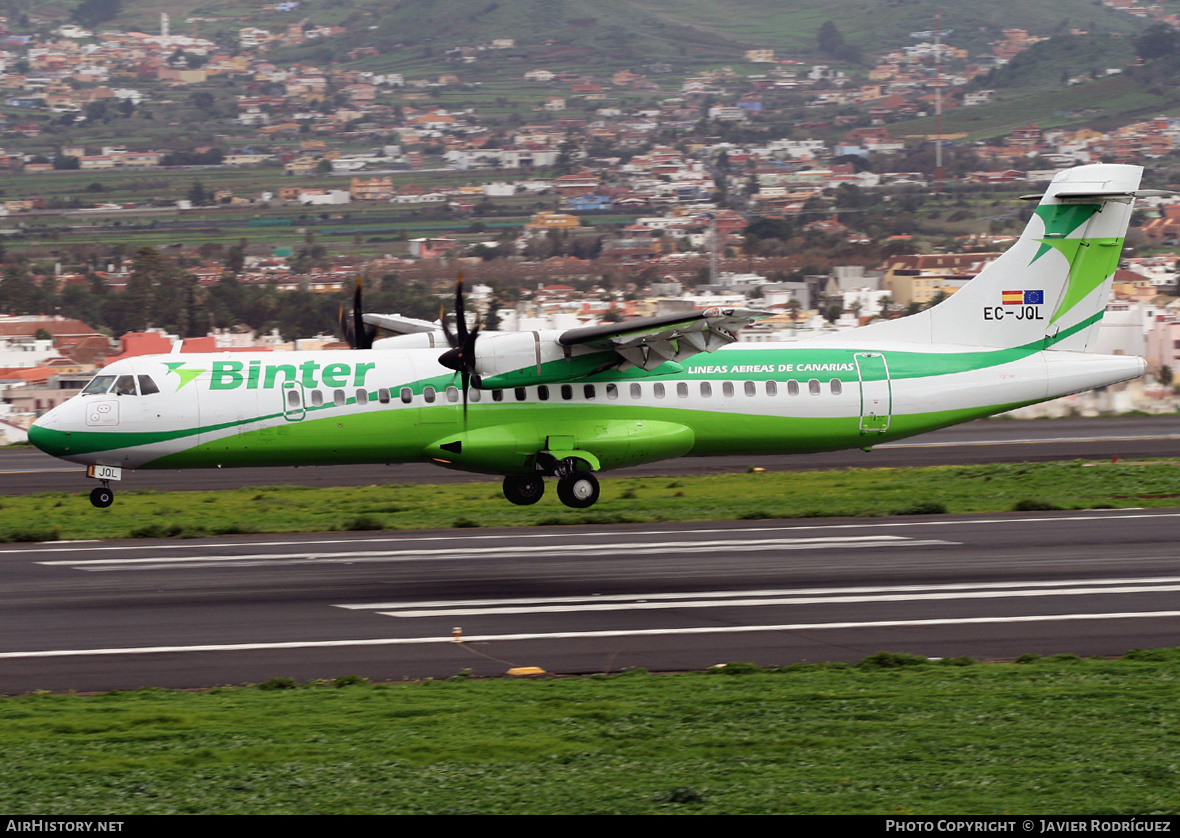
x: 419, y: 38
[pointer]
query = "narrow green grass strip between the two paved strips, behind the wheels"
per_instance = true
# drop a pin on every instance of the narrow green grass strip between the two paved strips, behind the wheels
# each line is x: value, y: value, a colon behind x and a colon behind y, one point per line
x: 720, y: 497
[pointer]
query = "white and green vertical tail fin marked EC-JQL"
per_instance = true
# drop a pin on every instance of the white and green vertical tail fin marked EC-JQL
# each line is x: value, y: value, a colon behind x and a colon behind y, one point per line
x: 1052, y: 286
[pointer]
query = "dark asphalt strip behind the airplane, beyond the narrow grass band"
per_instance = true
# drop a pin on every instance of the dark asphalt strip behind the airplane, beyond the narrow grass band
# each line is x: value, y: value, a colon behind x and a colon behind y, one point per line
x: 995, y: 441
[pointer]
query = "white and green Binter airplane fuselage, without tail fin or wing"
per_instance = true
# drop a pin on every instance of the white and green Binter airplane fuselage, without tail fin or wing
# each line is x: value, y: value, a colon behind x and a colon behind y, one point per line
x: 242, y: 410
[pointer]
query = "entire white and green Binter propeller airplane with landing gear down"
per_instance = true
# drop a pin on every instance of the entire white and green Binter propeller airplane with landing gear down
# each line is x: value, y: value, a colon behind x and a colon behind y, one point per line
x: 567, y: 405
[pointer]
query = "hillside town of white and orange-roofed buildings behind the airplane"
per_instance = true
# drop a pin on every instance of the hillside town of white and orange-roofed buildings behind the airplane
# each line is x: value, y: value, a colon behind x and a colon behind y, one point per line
x: 632, y: 194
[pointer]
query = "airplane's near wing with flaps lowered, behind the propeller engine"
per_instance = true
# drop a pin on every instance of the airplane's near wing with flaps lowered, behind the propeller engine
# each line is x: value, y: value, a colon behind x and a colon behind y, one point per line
x: 651, y: 342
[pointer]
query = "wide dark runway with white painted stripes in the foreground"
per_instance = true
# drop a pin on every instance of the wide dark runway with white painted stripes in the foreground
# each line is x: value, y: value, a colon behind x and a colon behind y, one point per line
x: 107, y: 616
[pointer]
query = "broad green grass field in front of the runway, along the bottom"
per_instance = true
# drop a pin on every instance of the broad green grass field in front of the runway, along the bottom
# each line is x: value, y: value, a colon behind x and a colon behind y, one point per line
x: 893, y: 736
